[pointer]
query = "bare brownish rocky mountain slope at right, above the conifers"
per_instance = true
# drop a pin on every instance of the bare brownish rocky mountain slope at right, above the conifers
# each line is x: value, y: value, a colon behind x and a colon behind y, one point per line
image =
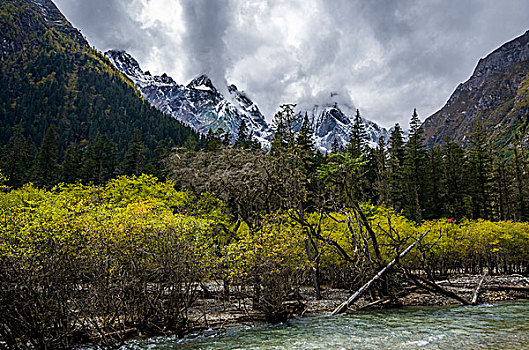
x: 496, y: 96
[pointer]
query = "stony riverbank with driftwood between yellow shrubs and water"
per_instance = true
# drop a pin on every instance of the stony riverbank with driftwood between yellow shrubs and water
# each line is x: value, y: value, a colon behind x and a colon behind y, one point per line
x: 214, y: 314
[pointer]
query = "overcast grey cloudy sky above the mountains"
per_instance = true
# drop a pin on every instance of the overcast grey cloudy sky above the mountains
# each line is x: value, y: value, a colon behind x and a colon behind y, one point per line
x: 385, y: 57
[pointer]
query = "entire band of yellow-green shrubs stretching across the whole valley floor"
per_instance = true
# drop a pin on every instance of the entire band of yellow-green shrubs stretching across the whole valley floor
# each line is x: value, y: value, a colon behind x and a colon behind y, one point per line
x: 85, y: 263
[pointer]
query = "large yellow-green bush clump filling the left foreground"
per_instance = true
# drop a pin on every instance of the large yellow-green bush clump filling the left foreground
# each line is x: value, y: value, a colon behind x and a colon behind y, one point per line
x: 79, y: 263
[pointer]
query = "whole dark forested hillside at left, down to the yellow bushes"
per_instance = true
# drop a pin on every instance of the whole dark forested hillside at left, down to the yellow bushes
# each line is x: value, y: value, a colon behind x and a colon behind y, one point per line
x: 52, y: 79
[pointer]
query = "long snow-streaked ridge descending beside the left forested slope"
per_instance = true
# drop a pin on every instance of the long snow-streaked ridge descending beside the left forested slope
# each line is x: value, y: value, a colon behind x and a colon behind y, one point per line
x: 198, y: 104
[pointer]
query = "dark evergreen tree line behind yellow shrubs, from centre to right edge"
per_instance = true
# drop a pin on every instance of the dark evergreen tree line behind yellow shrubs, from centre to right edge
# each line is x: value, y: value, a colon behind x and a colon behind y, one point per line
x: 422, y: 183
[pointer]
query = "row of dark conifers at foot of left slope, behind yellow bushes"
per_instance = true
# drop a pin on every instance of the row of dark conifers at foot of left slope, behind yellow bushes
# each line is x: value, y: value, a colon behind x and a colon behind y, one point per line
x: 93, y: 162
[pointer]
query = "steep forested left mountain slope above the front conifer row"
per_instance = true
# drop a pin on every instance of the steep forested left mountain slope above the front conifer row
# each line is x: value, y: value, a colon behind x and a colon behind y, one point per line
x: 51, y: 75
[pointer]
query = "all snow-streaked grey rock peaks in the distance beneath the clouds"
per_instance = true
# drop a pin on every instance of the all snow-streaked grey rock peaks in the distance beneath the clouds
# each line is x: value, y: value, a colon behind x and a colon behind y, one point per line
x: 200, y: 105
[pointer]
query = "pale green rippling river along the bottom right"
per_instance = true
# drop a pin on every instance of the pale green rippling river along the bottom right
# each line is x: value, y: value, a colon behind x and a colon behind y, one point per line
x: 487, y: 326
